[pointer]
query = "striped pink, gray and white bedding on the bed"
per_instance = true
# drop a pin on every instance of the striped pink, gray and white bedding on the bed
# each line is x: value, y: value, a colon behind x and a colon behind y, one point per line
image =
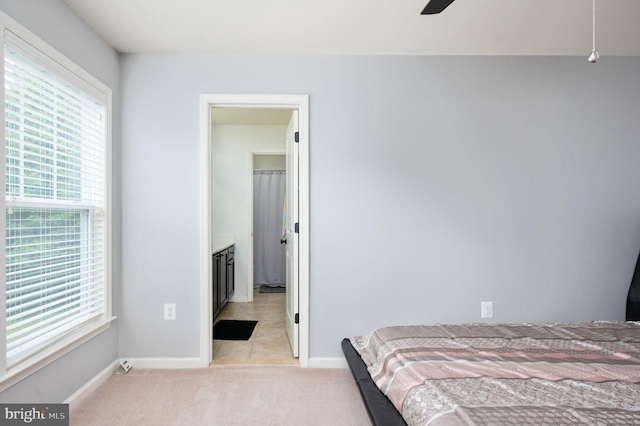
x: 508, y: 374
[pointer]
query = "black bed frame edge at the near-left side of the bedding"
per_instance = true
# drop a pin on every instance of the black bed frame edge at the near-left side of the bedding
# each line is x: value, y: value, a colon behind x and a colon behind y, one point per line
x: 381, y: 410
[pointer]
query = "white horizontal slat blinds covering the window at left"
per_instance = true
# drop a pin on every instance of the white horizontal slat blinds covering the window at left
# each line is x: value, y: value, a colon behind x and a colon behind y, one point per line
x: 55, y: 186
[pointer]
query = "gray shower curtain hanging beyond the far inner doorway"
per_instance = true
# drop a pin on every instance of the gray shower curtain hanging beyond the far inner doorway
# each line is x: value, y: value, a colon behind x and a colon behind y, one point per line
x: 269, y: 256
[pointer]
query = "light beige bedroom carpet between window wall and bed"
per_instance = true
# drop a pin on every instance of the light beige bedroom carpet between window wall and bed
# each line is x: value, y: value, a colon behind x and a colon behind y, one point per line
x: 225, y: 395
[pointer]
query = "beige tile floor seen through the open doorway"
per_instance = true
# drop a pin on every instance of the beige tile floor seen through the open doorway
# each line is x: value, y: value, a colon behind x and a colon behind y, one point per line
x: 268, y: 343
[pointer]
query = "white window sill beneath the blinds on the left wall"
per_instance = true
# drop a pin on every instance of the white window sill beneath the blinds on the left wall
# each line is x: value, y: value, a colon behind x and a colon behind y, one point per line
x: 29, y: 366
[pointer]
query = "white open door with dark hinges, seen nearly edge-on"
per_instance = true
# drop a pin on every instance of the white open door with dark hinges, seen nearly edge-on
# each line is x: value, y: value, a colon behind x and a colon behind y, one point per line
x: 291, y: 234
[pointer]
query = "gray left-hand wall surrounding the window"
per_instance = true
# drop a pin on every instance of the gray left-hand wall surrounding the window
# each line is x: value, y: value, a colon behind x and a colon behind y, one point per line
x: 59, y: 26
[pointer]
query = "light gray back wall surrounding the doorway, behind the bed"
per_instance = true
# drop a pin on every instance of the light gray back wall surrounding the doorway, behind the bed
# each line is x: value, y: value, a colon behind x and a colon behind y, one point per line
x: 436, y: 183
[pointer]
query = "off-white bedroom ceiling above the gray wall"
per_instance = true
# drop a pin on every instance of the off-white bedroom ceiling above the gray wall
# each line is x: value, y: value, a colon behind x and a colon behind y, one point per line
x: 371, y: 27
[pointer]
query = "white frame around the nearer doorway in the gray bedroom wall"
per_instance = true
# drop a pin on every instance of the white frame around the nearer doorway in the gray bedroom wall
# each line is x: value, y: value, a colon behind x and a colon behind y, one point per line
x: 208, y: 101
